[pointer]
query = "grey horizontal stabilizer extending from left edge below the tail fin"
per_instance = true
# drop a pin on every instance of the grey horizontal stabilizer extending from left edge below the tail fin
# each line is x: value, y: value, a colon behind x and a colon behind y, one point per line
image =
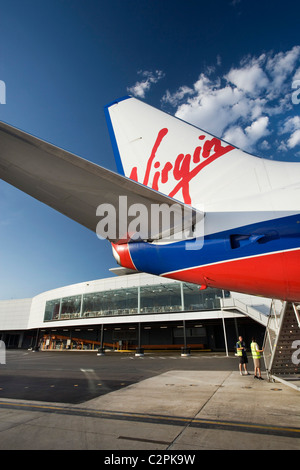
x: 76, y: 187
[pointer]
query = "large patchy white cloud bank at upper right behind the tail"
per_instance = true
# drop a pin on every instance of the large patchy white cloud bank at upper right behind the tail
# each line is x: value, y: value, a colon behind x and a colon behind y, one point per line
x: 244, y: 104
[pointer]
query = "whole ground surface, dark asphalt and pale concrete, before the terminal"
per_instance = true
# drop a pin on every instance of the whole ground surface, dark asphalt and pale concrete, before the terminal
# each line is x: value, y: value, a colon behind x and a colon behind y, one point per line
x: 161, y: 403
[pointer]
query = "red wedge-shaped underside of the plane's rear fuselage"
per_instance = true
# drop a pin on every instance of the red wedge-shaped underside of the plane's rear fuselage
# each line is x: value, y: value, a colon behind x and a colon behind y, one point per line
x: 274, y: 275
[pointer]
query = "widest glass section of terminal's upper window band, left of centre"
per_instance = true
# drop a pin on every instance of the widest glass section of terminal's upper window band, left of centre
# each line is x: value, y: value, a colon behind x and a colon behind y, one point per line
x: 113, y: 302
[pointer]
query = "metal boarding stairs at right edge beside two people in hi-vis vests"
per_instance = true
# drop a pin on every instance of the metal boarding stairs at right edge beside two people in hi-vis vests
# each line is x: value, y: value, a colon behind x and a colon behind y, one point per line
x: 282, y: 343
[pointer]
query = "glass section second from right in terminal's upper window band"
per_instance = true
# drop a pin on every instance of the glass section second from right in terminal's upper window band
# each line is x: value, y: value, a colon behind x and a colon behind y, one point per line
x: 161, y: 298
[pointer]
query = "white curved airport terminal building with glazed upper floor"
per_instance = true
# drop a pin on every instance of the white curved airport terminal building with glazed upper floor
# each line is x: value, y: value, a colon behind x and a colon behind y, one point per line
x: 132, y: 311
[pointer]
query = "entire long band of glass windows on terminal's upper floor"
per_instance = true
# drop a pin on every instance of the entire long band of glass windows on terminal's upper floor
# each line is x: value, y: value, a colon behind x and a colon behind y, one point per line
x: 158, y: 298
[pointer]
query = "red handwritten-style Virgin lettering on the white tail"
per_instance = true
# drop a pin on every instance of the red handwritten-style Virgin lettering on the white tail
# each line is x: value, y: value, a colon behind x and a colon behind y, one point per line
x: 185, y: 167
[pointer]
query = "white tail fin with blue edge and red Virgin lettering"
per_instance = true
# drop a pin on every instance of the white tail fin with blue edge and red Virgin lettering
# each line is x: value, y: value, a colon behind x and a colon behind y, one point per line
x: 165, y: 153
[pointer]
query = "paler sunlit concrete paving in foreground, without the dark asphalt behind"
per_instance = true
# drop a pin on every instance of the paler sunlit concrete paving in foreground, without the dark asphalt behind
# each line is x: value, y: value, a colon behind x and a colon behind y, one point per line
x: 172, y: 412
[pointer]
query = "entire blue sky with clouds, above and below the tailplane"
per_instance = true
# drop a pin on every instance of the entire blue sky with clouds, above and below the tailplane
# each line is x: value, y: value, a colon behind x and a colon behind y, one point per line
x: 227, y: 66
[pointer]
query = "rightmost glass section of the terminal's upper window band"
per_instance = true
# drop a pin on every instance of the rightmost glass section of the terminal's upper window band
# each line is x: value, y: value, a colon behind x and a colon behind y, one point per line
x: 196, y: 299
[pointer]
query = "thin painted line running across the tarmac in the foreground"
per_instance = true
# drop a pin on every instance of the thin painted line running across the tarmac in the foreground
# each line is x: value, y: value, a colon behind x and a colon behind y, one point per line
x: 159, y: 419
